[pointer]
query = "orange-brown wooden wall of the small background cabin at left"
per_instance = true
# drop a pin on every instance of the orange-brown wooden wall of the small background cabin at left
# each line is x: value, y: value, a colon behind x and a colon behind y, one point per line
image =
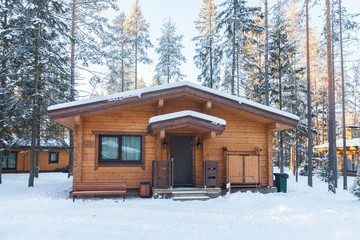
x: 23, y: 160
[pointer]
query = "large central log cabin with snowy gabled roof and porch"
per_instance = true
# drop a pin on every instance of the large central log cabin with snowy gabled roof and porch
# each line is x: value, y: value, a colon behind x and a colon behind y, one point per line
x: 179, y: 134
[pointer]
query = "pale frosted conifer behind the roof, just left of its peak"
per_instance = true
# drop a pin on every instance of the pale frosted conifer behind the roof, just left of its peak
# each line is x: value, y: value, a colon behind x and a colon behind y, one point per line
x: 169, y: 50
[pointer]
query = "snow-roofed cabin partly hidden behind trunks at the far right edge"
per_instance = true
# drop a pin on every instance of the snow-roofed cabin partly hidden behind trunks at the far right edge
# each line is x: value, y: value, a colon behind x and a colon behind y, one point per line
x: 352, y: 154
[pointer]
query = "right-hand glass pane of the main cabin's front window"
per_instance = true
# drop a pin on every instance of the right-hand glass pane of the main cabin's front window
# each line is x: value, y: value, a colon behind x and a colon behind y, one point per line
x: 131, y: 148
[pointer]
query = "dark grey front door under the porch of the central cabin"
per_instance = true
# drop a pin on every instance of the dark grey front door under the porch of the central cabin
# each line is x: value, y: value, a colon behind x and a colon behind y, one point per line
x: 181, y: 154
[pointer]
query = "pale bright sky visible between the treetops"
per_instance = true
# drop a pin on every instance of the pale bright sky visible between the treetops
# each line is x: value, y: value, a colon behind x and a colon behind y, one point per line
x: 184, y: 13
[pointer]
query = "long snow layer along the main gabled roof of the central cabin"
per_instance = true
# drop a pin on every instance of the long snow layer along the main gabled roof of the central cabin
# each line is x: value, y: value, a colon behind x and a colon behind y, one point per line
x: 139, y: 92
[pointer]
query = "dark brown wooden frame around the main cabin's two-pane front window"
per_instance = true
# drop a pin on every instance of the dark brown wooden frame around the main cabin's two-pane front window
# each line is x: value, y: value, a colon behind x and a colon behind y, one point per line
x: 118, y: 162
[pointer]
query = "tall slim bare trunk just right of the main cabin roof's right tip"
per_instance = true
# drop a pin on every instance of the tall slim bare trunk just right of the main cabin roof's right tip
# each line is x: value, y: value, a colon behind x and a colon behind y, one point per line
x: 310, y: 145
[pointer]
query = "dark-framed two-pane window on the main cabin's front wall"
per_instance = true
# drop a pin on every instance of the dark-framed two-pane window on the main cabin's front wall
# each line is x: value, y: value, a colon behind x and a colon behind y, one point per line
x: 119, y: 148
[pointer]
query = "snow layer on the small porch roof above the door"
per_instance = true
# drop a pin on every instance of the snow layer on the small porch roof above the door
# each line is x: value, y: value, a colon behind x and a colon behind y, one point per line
x: 168, y: 116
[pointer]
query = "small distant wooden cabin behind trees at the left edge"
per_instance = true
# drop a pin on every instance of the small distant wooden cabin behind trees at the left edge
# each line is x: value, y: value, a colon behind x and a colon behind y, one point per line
x: 53, y: 157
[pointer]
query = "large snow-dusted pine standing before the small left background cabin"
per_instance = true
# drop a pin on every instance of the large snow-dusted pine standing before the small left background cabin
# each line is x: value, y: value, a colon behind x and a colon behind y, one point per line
x: 42, y: 75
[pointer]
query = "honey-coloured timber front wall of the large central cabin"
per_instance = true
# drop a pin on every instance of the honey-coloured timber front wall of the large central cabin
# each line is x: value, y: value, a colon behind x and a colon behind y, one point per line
x: 241, y: 134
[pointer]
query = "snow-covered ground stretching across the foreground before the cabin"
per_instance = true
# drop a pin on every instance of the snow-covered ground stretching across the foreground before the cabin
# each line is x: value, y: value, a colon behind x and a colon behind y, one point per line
x: 46, y: 212
